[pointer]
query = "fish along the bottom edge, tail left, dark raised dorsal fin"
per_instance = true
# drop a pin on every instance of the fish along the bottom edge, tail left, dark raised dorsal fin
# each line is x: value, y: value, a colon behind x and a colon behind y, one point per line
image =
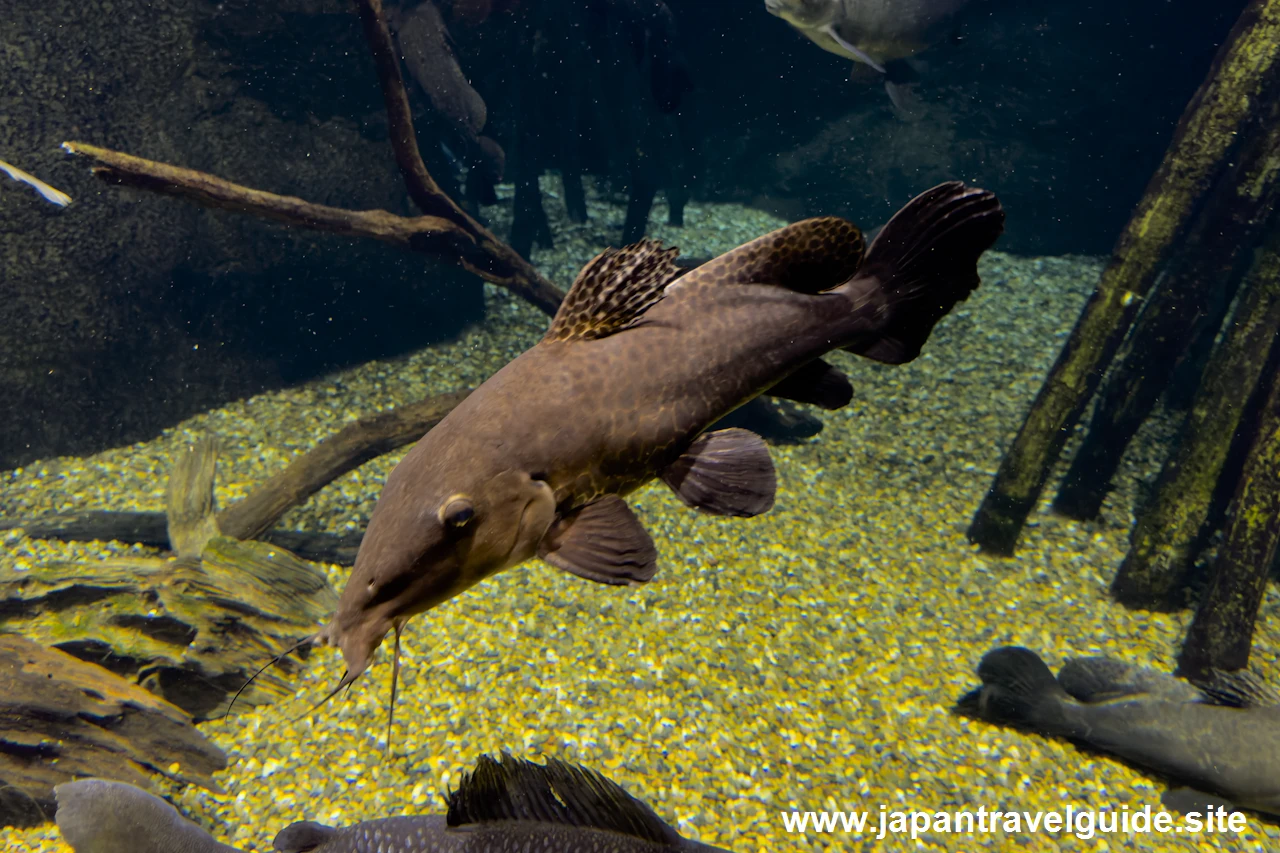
x: 504, y: 806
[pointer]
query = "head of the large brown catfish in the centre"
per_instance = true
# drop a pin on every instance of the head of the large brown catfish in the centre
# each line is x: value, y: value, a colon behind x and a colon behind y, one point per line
x: 433, y: 535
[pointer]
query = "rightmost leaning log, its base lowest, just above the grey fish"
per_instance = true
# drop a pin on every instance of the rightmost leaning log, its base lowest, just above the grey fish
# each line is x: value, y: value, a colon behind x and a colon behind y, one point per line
x: 1222, y: 633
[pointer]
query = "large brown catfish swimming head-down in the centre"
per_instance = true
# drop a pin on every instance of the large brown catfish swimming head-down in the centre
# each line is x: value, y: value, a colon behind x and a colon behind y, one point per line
x: 537, y: 462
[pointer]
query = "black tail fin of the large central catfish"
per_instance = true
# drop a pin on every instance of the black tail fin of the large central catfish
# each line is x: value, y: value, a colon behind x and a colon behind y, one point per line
x: 925, y: 262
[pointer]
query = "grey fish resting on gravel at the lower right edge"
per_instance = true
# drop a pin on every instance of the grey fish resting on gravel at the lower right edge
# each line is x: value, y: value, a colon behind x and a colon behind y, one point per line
x: 1222, y: 738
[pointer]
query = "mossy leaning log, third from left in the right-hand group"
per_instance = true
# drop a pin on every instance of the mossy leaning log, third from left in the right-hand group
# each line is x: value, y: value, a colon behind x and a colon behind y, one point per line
x: 1169, y: 532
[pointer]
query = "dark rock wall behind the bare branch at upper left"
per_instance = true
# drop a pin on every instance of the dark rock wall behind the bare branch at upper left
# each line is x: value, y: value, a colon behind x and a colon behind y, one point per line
x: 126, y: 312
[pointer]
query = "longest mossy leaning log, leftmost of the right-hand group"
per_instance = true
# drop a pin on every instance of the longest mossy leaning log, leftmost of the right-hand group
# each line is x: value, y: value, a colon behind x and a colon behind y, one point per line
x: 1244, y: 80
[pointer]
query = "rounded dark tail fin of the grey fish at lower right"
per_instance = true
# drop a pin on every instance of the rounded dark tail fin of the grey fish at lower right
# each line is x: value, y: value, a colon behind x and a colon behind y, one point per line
x: 1017, y: 690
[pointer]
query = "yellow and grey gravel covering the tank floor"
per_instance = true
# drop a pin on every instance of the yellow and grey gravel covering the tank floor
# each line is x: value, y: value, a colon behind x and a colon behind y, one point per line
x: 804, y: 660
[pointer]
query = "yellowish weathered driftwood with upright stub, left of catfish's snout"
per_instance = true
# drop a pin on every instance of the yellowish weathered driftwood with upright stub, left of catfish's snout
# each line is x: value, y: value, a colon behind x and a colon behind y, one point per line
x: 191, y: 628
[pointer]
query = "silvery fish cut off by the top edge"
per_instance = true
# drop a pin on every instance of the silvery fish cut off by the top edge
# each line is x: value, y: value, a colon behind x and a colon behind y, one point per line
x: 880, y: 34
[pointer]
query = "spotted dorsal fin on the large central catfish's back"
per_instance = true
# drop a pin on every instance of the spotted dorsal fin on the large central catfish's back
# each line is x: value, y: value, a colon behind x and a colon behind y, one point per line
x: 614, y: 291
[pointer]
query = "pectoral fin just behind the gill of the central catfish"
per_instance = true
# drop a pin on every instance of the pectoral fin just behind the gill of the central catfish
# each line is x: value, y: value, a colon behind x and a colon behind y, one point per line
x: 602, y: 542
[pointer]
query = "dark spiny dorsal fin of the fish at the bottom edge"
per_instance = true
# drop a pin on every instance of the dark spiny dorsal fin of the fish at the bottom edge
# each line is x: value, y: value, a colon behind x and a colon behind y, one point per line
x: 511, y: 790
